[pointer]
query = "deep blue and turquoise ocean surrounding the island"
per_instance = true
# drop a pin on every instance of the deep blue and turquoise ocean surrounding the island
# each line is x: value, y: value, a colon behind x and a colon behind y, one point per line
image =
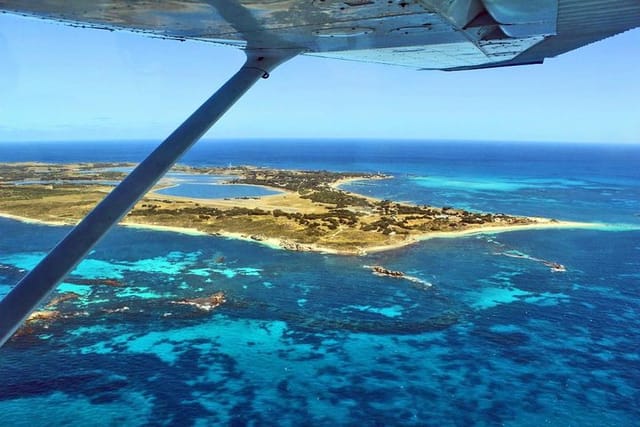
x: 316, y: 339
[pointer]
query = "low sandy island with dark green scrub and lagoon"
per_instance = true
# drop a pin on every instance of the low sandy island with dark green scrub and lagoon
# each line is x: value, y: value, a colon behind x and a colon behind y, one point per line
x: 310, y: 212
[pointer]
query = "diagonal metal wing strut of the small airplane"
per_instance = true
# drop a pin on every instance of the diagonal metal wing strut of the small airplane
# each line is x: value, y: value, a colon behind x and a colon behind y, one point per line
x: 36, y: 286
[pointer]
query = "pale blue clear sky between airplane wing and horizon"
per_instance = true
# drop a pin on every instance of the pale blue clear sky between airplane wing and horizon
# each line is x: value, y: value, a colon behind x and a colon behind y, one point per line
x: 64, y: 83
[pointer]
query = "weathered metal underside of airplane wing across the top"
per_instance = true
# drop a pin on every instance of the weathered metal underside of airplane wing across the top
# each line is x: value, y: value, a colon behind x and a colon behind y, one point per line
x: 422, y: 34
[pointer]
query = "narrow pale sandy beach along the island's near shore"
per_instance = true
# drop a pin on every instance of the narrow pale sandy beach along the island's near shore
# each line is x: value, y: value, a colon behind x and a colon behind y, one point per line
x: 286, y: 244
